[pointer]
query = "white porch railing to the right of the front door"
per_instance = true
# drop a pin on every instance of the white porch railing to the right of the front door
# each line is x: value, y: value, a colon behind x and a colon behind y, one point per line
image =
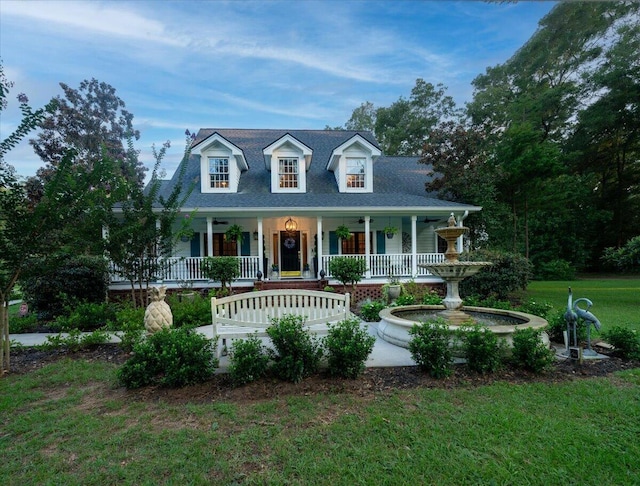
x: 398, y: 264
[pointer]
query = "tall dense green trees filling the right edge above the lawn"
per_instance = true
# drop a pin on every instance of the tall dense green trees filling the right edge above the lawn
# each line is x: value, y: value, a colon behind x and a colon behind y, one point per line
x: 562, y: 134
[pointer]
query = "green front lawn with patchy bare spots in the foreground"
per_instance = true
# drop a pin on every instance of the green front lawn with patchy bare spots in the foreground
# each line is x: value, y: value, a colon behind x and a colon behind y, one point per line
x: 69, y: 424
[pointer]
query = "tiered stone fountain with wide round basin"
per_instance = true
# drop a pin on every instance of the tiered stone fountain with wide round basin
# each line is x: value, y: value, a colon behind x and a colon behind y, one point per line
x: 396, y: 321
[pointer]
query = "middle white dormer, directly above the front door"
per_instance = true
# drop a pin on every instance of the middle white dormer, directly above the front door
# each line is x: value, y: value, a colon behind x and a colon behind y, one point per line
x: 288, y: 160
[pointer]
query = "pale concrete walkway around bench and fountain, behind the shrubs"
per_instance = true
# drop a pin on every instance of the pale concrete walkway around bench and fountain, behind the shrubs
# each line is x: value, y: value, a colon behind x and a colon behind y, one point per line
x: 384, y: 354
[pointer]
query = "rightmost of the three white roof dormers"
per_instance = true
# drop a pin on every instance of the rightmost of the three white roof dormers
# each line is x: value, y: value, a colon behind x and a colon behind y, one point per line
x: 352, y: 164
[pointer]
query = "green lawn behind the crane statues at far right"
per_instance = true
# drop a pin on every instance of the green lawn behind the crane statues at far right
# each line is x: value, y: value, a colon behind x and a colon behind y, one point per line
x: 616, y: 301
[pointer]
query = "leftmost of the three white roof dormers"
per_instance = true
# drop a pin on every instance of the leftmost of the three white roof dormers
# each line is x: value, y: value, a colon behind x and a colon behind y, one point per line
x: 221, y: 164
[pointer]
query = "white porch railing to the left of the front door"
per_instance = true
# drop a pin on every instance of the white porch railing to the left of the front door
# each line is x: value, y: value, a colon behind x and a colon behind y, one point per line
x: 189, y: 269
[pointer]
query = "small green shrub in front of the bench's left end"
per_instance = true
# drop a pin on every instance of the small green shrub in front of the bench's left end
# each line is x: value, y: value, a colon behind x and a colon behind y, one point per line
x: 248, y: 360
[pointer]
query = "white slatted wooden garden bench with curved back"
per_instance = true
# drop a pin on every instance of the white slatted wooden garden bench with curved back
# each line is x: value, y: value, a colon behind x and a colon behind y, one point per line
x: 243, y: 315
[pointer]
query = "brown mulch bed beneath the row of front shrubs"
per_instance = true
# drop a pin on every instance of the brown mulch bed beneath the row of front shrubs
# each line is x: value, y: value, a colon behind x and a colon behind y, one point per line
x: 372, y: 381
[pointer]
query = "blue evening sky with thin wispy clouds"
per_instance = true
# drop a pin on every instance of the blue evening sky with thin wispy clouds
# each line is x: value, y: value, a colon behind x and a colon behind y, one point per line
x: 241, y: 64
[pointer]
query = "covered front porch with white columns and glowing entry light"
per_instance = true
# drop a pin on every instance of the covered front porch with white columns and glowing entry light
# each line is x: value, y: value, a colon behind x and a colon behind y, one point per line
x: 300, y: 246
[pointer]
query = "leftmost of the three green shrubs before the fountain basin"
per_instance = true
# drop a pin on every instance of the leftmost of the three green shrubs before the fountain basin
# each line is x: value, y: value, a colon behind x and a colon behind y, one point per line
x: 429, y: 347
